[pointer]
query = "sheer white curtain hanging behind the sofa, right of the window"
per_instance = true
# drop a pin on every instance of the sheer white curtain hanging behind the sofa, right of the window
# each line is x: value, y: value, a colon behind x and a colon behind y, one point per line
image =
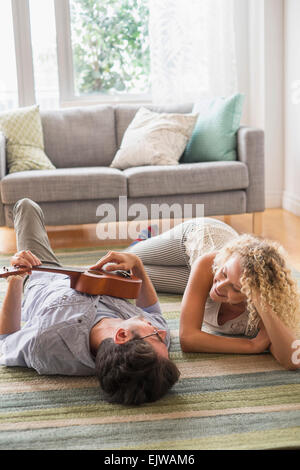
x: 192, y: 49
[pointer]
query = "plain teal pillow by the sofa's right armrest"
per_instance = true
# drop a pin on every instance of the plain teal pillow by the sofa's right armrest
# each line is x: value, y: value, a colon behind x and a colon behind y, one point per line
x: 214, y: 134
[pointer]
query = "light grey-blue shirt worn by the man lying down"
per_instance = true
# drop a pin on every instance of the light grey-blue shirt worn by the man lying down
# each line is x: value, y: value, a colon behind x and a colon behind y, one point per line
x: 55, y: 336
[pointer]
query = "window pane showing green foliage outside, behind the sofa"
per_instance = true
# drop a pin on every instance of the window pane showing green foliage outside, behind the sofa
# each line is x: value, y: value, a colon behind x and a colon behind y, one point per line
x: 110, y: 46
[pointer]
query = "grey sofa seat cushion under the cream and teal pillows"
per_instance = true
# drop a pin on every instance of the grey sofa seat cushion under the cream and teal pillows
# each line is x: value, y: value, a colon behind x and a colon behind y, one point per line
x: 189, y: 178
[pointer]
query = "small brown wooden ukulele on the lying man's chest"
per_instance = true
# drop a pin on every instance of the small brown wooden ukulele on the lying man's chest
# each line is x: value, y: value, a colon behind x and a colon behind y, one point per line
x: 89, y: 281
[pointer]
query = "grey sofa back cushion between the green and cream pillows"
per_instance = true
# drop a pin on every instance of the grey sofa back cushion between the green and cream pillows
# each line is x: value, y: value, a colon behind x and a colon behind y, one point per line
x: 80, y: 137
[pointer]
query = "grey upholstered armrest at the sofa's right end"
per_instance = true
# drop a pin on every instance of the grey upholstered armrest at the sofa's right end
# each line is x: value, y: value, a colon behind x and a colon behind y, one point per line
x: 250, y: 150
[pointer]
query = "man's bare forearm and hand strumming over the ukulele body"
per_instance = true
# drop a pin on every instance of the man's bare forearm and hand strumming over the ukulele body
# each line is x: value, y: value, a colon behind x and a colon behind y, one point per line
x: 130, y: 261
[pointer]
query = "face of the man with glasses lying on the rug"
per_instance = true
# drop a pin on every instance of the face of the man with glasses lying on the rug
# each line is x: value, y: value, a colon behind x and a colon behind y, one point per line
x: 139, y: 325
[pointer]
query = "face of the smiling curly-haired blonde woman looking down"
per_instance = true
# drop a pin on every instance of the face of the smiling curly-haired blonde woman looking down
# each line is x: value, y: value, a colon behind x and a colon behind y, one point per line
x: 226, y: 286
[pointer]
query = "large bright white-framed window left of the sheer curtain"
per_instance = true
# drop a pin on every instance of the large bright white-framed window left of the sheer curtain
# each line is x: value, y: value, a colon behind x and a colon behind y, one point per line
x: 64, y: 51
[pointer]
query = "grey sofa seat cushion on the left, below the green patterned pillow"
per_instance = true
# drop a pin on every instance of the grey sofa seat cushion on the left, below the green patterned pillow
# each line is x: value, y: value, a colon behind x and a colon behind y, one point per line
x: 64, y: 184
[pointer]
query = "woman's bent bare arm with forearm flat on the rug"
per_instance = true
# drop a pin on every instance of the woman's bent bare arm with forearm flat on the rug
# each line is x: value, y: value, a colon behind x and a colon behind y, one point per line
x: 192, y: 339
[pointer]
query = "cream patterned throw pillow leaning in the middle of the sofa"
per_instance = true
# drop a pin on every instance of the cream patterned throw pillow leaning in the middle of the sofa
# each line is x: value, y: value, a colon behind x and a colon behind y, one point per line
x: 154, y: 139
